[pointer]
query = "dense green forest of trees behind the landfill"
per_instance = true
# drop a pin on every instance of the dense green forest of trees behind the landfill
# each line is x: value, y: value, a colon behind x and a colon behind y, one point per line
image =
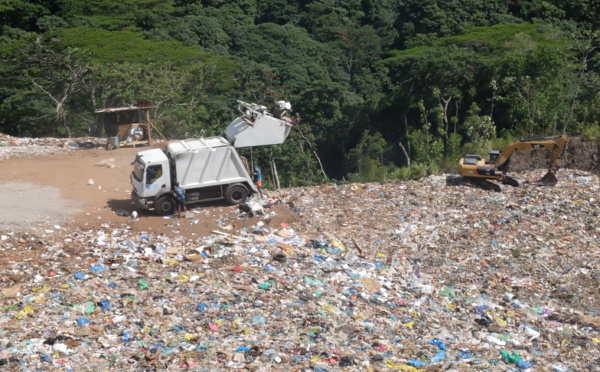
x: 380, y: 89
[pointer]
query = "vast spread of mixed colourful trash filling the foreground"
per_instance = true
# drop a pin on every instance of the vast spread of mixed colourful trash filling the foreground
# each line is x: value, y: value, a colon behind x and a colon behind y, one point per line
x: 411, y: 276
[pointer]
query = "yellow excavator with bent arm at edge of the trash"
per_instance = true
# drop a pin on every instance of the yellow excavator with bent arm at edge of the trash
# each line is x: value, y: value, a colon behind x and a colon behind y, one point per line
x: 492, y: 174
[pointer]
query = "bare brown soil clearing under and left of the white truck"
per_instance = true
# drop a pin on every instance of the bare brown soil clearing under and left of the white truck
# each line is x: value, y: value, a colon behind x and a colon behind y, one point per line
x: 68, y: 189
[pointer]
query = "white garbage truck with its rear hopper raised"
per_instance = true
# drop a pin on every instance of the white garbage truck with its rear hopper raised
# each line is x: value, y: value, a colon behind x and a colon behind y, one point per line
x: 207, y: 168
